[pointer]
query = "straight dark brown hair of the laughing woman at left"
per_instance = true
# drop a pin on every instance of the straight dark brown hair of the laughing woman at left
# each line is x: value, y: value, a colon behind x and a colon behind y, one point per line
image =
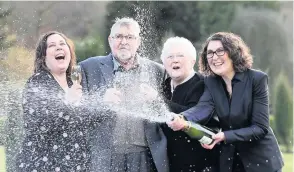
x: 40, y: 64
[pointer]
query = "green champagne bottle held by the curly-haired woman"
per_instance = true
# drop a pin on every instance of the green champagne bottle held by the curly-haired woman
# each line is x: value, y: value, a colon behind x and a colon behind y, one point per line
x: 201, y: 133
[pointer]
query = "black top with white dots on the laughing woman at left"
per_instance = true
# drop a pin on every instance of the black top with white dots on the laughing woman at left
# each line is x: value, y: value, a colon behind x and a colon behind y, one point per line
x: 55, y: 133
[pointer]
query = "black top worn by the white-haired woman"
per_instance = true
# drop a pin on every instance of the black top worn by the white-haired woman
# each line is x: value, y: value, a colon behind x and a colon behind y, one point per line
x: 186, y: 154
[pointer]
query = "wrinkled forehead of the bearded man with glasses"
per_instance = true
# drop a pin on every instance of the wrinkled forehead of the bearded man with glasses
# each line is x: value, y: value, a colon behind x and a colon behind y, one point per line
x: 125, y: 29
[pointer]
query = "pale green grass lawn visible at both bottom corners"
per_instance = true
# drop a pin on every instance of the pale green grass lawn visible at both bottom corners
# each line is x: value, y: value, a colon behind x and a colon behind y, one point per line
x: 288, y: 158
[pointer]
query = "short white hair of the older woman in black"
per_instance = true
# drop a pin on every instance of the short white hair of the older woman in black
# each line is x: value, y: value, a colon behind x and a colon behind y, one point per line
x: 180, y: 41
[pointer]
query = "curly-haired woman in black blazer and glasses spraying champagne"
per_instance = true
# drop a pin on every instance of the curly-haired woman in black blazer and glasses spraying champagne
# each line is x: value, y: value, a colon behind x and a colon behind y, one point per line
x: 239, y: 96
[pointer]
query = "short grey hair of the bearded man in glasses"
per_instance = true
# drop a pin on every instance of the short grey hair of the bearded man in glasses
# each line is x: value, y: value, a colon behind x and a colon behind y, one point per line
x: 125, y: 21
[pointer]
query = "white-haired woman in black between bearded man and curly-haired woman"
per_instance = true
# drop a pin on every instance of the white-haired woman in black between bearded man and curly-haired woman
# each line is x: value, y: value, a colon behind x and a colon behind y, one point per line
x: 182, y: 90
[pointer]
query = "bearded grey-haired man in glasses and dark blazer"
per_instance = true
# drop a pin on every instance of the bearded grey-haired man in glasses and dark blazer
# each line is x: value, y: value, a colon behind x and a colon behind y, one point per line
x: 121, y: 141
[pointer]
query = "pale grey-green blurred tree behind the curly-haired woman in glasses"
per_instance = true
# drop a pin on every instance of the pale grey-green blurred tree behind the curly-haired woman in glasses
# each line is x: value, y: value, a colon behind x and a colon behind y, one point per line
x: 265, y: 33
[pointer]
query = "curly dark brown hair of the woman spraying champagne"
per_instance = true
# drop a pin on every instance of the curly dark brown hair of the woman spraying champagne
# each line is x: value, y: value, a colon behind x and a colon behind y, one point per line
x: 236, y: 48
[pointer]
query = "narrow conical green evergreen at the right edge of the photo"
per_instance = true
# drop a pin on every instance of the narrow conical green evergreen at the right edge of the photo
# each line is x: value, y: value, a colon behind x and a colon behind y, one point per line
x: 284, y: 112
